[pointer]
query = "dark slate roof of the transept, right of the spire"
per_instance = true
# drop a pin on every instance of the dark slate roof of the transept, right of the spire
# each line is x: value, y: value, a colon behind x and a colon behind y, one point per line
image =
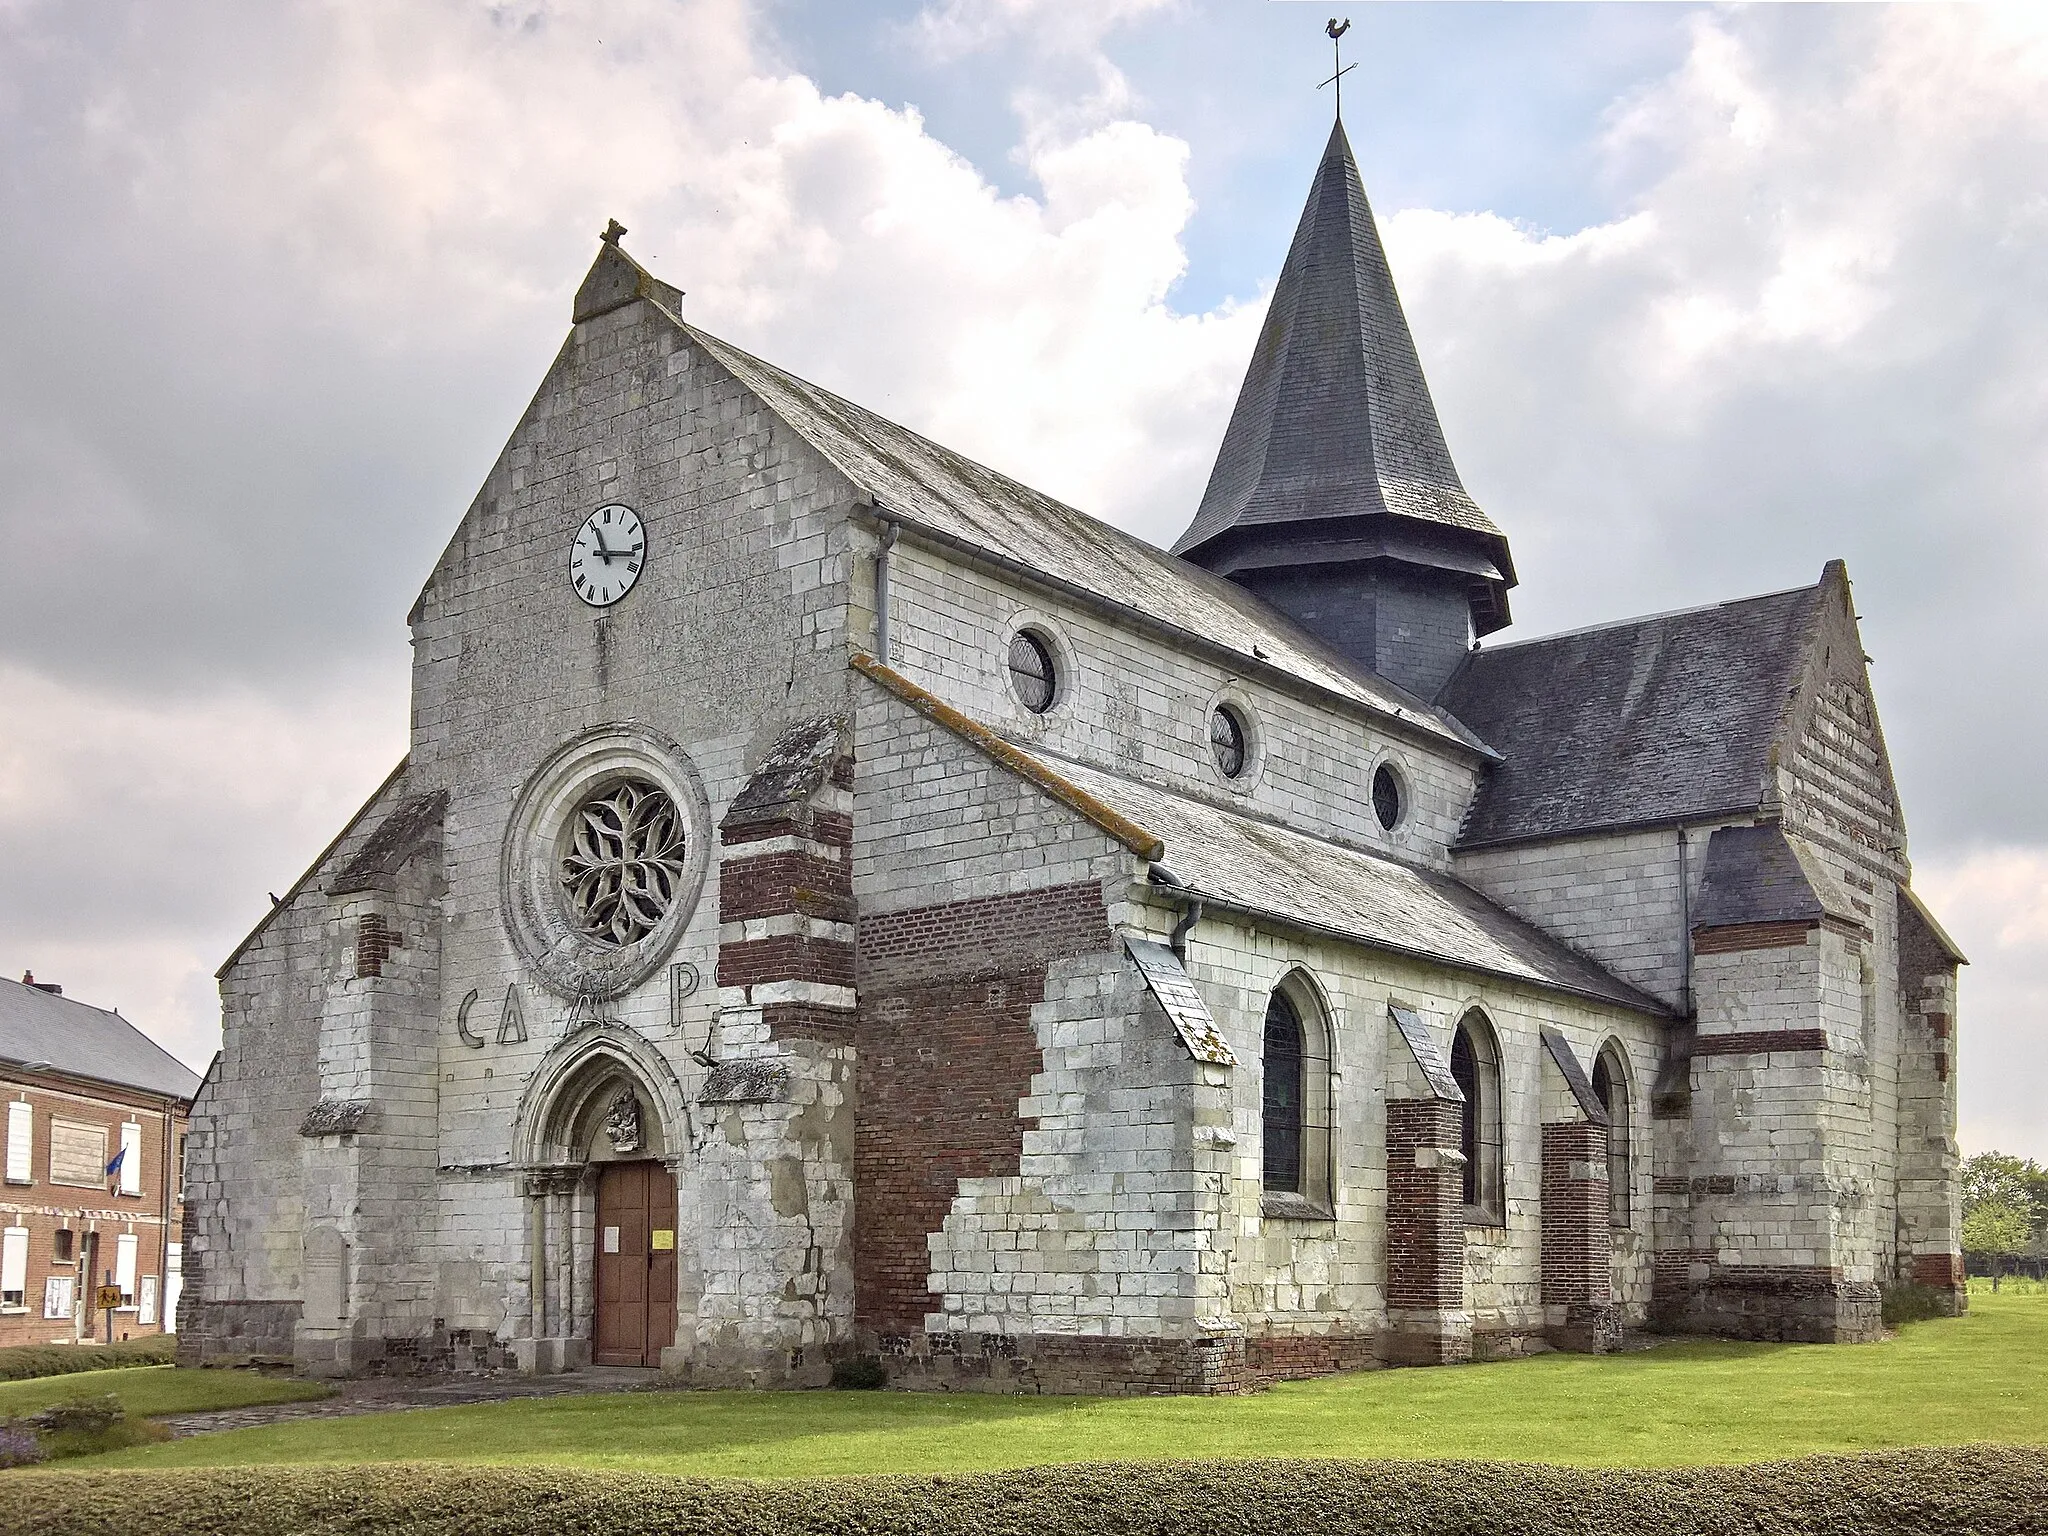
x: 1644, y: 722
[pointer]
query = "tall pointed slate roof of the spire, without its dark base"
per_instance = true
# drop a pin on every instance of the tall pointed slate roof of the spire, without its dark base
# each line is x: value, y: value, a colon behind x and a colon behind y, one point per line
x: 1334, y: 419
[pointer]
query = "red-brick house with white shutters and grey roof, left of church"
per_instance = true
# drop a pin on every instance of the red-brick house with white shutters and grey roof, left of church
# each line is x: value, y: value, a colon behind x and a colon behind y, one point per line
x: 93, y: 1195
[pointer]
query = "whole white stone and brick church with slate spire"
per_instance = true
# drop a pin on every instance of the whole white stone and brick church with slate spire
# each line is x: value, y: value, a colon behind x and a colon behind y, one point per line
x: 841, y: 904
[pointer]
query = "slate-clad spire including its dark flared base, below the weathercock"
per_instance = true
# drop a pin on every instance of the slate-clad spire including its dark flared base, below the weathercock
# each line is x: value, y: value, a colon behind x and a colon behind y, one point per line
x: 1334, y: 495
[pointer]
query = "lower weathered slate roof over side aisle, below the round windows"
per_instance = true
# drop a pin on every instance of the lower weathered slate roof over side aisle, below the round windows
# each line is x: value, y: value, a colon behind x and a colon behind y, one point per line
x: 1322, y: 886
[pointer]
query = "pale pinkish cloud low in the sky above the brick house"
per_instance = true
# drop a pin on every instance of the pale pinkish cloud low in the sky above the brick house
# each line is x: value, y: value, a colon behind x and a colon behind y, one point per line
x: 142, y: 837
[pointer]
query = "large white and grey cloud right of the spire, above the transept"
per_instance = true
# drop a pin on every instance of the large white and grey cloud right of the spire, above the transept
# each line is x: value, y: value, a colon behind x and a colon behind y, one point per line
x: 1818, y: 333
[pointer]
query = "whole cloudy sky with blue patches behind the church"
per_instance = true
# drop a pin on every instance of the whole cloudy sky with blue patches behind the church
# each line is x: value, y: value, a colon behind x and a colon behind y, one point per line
x: 1707, y: 298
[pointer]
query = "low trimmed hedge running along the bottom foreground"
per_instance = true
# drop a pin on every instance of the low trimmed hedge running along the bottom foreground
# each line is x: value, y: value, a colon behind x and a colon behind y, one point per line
x: 1977, y: 1490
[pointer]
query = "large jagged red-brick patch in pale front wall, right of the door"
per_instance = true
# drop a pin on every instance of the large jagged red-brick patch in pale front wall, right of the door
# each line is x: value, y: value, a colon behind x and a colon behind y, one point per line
x: 947, y: 1050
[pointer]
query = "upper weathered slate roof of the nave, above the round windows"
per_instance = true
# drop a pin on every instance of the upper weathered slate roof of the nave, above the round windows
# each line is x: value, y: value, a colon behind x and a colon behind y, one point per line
x: 951, y: 497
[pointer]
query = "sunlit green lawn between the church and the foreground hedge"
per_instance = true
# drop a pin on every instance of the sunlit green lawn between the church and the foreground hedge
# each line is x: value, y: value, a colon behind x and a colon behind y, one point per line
x: 1979, y: 1377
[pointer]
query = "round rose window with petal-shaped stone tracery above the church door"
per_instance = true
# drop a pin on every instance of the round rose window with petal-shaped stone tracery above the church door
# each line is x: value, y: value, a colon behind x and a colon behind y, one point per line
x: 626, y: 861
